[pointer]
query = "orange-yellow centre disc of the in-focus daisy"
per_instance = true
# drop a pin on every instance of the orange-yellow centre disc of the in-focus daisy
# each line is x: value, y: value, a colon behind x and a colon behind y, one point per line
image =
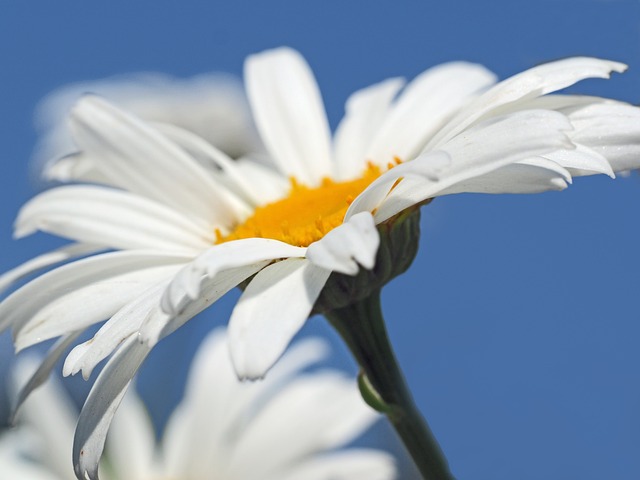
x: 306, y: 214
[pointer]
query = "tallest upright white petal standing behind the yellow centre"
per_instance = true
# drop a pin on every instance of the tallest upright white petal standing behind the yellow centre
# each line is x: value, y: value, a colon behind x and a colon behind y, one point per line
x: 289, y: 113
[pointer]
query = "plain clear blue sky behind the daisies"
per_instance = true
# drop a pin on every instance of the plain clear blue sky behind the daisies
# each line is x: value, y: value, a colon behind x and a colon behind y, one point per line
x: 518, y: 324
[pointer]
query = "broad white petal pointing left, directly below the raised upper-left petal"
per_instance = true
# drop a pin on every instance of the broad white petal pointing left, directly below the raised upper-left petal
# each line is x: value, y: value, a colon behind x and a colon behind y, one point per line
x: 114, y: 218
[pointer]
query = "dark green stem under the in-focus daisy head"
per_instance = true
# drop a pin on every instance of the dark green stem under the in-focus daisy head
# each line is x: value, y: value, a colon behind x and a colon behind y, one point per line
x: 362, y: 327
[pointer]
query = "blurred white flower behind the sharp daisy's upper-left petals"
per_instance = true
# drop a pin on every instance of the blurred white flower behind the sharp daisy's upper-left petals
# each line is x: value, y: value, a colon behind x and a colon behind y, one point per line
x: 212, y: 106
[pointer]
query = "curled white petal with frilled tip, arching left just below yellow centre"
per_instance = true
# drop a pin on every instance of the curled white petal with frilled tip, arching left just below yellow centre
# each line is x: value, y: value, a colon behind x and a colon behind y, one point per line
x: 221, y: 257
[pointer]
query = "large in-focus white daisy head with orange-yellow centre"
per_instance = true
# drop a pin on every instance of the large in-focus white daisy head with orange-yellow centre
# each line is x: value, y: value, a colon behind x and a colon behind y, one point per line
x: 184, y: 233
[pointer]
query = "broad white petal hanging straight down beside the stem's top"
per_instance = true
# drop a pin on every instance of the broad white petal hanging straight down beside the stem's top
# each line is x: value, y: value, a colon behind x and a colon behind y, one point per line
x: 272, y: 309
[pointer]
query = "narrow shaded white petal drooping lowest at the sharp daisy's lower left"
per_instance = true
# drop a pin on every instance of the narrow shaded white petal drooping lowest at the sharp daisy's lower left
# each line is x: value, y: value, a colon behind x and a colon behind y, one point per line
x: 101, y: 405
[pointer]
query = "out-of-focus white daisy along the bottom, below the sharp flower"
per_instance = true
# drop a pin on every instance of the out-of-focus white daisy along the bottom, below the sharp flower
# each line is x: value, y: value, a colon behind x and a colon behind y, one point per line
x: 286, y: 427
